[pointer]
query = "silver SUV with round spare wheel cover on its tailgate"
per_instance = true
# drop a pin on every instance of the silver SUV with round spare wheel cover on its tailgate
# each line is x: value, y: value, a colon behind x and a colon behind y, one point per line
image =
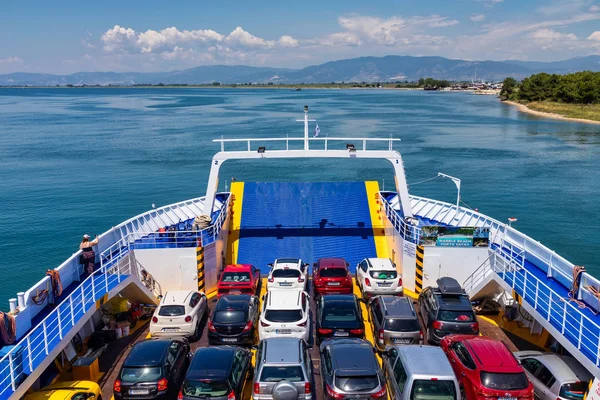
x: 283, y: 368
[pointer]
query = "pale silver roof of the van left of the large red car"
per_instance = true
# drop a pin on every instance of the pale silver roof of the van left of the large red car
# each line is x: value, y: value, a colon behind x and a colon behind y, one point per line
x: 424, y: 360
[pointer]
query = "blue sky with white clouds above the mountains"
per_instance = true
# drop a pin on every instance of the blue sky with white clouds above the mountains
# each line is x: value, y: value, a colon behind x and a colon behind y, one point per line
x: 67, y: 36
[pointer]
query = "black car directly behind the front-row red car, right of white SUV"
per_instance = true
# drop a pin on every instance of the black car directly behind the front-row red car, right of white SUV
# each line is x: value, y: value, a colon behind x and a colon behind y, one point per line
x: 339, y: 315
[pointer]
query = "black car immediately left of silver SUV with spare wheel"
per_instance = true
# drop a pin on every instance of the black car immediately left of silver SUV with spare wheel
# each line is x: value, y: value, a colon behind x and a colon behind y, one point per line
x: 217, y: 373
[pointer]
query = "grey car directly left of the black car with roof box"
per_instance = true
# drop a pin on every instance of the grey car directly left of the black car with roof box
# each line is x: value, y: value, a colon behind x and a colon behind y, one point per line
x: 394, y: 321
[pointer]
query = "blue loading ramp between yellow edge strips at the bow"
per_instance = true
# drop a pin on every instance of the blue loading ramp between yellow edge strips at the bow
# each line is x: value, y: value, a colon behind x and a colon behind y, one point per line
x: 305, y: 220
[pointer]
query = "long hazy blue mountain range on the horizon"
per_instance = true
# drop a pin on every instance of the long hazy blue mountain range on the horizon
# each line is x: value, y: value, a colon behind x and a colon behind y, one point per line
x: 367, y: 69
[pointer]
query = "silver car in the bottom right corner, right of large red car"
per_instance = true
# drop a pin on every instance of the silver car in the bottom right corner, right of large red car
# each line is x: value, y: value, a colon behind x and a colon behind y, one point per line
x: 553, y: 376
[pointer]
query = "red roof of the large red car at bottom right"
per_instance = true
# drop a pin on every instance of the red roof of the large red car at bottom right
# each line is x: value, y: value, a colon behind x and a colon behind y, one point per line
x: 489, y: 354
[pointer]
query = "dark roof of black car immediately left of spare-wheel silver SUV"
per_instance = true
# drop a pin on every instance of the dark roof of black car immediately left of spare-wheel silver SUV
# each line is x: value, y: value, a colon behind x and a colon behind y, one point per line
x: 211, y: 363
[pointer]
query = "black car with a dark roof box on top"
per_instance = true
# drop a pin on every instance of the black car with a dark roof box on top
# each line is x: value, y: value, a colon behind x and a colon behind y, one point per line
x: 446, y: 310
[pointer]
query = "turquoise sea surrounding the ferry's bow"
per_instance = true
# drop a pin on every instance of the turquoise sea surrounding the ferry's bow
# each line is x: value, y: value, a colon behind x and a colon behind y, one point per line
x: 76, y: 161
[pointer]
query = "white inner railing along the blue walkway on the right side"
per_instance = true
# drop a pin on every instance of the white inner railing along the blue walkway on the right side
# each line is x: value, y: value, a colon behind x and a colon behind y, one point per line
x: 584, y: 334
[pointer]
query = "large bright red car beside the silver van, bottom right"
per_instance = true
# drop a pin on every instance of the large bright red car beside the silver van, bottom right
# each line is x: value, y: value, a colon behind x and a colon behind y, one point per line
x: 486, y: 368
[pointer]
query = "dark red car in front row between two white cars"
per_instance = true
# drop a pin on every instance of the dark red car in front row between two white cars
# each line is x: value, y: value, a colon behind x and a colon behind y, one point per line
x: 331, y: 275
